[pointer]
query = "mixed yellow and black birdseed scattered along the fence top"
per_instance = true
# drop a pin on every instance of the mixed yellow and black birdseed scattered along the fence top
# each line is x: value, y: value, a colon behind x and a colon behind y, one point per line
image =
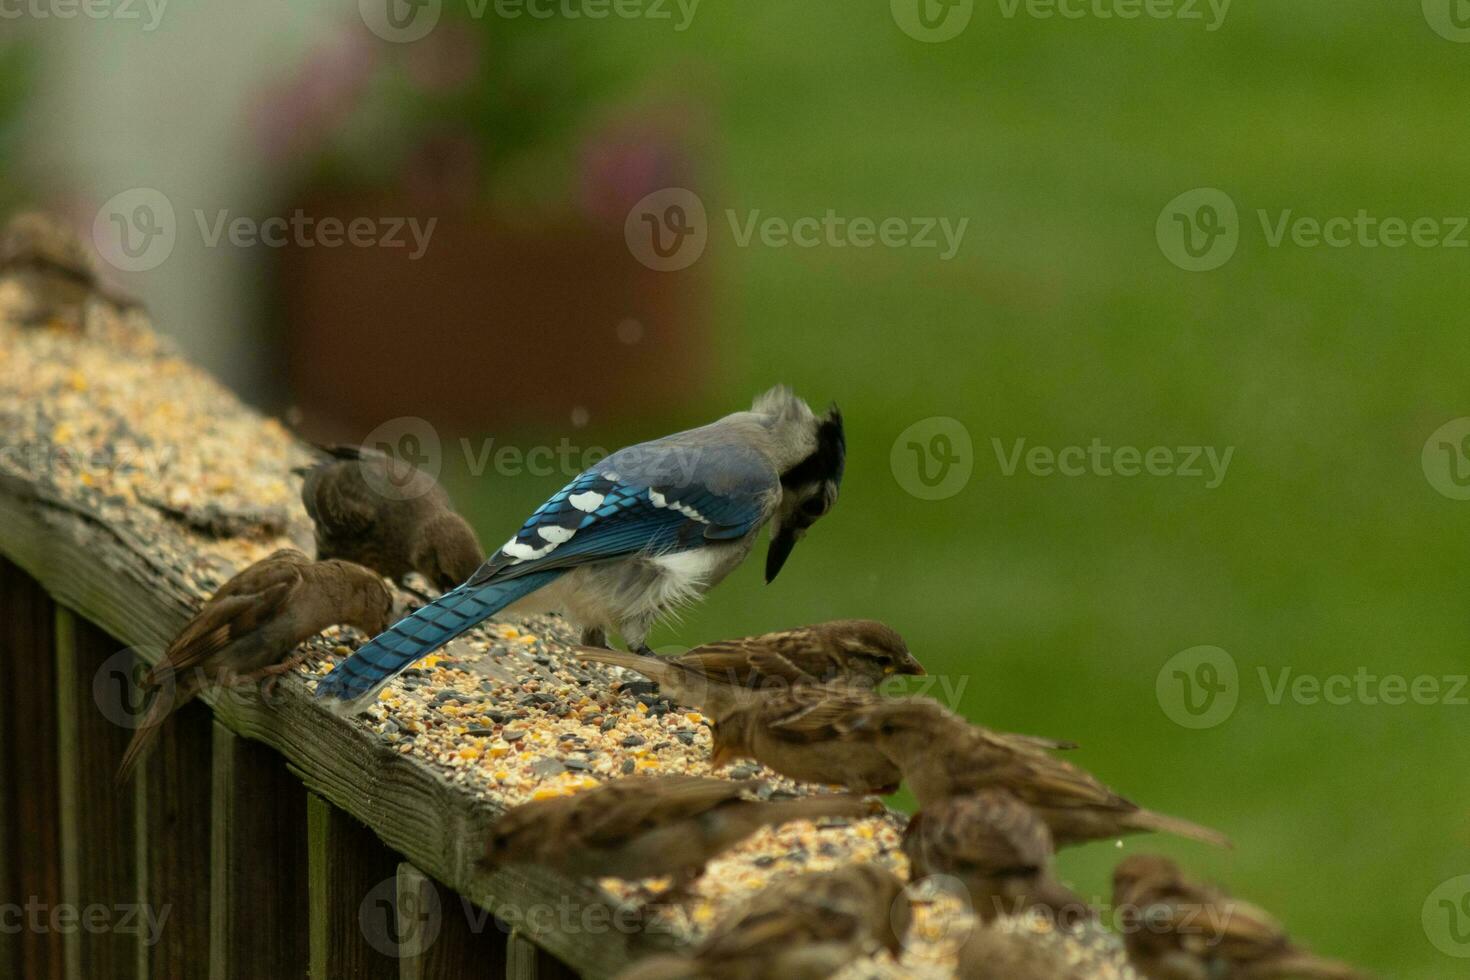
x: 108, y: 422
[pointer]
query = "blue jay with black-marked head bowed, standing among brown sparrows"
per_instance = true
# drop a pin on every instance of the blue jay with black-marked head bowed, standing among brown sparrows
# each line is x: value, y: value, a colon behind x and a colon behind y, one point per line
x: 648, y: 530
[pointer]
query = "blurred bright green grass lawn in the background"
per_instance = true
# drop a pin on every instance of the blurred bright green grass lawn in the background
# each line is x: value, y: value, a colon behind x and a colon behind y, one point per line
x: 1059, y: 599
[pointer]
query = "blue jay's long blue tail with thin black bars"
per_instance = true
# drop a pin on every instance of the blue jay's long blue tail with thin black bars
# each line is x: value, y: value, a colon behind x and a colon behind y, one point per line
x: 424, y: 633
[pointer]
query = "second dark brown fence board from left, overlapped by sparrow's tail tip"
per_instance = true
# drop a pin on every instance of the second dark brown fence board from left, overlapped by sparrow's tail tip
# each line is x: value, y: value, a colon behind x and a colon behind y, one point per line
x: 98, y: 834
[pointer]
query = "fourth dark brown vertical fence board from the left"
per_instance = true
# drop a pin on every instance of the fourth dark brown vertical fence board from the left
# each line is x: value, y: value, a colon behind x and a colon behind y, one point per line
x: 258, y: 865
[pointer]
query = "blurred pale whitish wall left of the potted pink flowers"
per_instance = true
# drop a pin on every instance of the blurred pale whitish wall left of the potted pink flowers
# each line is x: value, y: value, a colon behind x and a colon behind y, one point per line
x: 120, y: 107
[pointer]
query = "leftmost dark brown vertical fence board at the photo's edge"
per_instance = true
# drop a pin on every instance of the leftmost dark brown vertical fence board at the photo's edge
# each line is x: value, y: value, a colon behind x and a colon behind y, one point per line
x: 32, y: 849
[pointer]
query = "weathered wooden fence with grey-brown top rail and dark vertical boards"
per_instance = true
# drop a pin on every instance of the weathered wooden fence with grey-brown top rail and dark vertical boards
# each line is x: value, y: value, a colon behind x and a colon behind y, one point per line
x: 259, y: 840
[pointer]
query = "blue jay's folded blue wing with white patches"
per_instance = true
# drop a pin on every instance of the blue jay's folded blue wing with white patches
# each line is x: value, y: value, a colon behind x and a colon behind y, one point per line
x: 606, y: 515
